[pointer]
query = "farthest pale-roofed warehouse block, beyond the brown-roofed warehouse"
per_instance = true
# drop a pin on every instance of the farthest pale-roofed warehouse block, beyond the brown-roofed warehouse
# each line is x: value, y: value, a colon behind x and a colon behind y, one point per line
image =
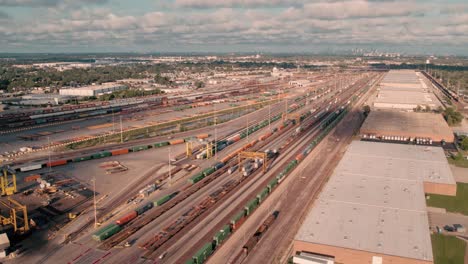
x: 404, y: 90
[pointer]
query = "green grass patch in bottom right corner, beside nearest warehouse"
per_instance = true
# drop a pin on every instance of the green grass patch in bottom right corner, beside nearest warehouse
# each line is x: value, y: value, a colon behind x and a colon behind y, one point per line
x: 447, y: 249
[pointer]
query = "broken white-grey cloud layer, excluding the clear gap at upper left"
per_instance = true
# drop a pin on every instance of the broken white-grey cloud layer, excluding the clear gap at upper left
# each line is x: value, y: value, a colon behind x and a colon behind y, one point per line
x: 352, y: 22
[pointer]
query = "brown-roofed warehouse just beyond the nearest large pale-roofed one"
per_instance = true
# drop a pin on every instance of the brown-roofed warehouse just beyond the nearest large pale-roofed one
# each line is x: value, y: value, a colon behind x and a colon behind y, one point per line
x: 406, y: 126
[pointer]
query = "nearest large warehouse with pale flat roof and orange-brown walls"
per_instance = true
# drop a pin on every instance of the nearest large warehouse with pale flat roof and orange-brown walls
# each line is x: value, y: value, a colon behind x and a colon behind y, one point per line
x: 373, y: 208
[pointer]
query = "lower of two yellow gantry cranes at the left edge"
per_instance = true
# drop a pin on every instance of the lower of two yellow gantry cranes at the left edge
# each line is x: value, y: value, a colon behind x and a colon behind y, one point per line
x: 17, y: 212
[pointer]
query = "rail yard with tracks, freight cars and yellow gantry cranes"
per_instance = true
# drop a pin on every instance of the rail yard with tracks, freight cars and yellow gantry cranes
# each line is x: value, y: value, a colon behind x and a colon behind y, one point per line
x: 147, y: 209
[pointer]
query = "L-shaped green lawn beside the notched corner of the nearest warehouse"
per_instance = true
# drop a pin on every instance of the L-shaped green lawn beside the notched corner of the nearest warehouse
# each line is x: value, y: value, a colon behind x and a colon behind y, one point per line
x: 456, y: 204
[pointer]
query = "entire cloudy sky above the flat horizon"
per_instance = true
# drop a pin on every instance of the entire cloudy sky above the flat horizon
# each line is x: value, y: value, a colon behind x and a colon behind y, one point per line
x: 412, y: 26
